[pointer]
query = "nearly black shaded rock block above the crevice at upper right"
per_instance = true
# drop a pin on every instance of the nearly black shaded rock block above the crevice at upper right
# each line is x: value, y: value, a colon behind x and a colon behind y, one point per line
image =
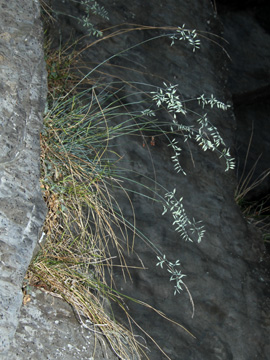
x: 249, y: 52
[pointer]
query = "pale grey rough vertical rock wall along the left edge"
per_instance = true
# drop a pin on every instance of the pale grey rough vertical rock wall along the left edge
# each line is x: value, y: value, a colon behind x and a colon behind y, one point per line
x: 22, y: 99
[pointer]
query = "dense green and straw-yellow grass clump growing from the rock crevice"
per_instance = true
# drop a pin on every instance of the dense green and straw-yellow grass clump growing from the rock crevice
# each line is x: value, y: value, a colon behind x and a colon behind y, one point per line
x: 75, y: 261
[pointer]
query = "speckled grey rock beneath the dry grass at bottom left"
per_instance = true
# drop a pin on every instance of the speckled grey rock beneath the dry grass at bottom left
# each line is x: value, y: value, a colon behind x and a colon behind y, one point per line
x: 48, y: 329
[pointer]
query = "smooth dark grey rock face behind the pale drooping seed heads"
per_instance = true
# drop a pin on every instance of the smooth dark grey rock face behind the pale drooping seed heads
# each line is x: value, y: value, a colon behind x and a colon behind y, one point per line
x: 223, y: 274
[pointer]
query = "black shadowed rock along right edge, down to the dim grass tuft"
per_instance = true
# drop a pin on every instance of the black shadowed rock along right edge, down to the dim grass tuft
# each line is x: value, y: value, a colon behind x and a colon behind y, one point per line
x: 249, y: 83
